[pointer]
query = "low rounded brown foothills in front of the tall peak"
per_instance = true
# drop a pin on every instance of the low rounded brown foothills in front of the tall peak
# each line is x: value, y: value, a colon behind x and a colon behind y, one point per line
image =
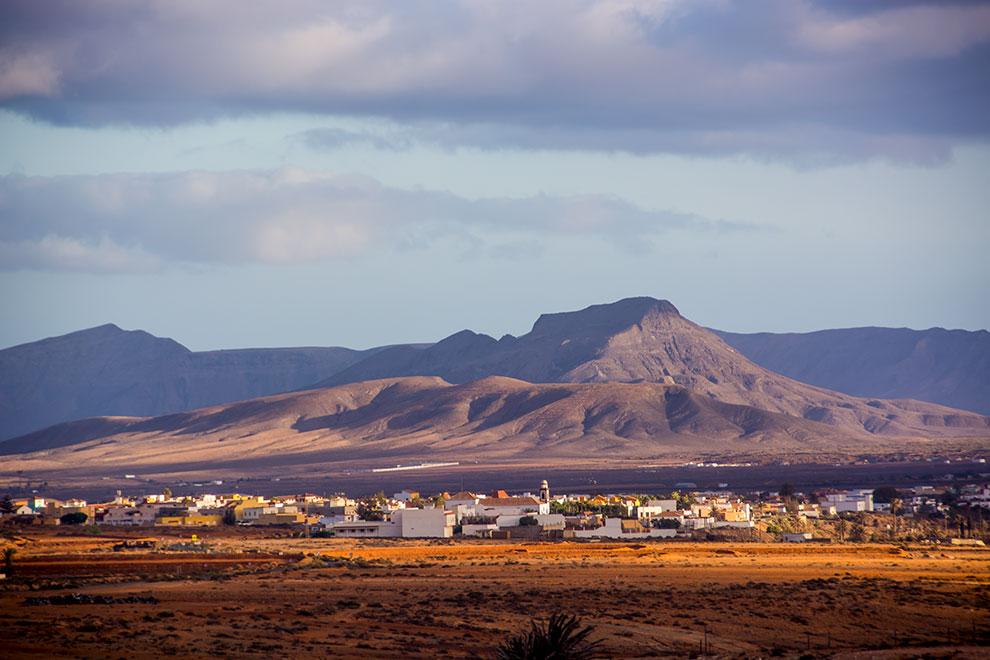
x: 492, y: 418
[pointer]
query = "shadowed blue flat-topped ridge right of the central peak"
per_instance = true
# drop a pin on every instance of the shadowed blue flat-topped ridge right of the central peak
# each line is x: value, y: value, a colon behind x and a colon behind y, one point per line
x: 950, y: 367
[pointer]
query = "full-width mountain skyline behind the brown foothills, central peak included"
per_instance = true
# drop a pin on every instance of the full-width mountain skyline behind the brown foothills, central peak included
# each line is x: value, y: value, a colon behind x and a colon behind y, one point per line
x: 107, y: 371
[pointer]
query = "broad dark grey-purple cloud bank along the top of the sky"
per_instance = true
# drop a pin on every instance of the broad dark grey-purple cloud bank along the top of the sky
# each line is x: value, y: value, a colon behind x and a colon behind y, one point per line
x: 829, y: 80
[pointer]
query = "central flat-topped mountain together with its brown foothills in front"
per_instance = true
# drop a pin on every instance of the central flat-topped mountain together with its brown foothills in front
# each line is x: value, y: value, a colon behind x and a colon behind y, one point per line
x: 632, y: 379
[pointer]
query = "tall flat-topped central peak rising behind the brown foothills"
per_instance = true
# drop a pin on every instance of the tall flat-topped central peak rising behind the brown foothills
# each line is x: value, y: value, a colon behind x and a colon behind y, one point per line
x: 647, y: 340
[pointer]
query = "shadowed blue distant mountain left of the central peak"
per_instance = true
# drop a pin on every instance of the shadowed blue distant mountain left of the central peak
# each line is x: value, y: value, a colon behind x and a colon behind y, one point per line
x: 109, y: 371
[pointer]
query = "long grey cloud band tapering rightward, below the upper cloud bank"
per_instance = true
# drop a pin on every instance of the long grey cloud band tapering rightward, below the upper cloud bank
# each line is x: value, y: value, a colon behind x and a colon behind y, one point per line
x: 140, y: 222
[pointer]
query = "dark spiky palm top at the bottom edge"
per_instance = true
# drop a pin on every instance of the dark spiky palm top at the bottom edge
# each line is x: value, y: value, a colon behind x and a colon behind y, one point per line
x: 560, y: 638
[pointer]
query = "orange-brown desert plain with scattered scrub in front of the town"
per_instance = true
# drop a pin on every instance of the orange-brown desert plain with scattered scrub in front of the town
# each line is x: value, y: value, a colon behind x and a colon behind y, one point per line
x: 248, y: 593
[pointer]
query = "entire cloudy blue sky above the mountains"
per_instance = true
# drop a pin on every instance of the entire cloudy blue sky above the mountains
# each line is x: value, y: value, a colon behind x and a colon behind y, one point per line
x: 362, y: 173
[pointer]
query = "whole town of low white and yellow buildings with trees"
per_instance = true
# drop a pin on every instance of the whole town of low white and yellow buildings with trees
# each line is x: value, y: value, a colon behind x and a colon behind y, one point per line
x: 923, y: 513
